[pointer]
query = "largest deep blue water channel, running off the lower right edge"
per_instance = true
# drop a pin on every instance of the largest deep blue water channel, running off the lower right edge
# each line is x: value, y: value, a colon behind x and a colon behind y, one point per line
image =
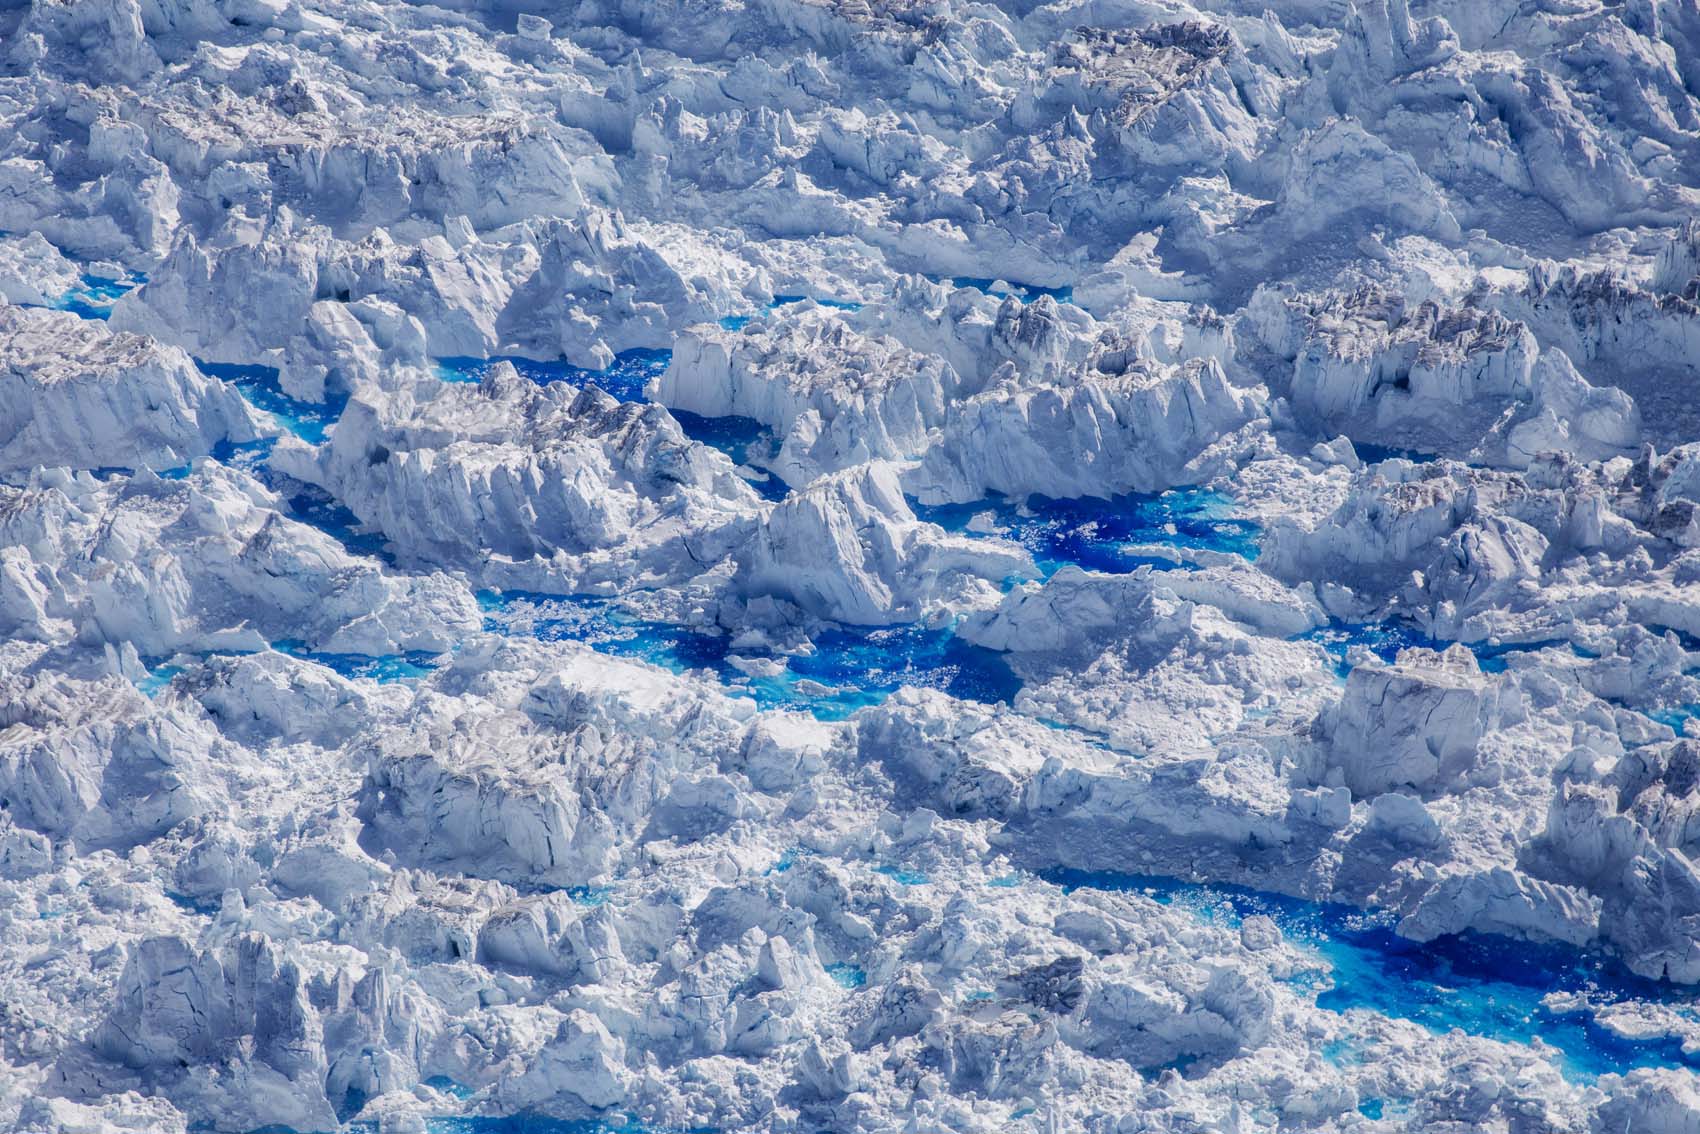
x: 1483, y: 985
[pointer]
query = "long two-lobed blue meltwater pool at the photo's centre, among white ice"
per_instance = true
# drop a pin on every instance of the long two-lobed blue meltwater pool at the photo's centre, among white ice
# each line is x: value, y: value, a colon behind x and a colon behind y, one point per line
x: 849, y: 669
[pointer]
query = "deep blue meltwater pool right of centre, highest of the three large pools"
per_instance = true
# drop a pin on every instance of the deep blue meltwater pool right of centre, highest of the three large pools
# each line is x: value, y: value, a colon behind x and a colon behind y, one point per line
x: 1099, y: 535
